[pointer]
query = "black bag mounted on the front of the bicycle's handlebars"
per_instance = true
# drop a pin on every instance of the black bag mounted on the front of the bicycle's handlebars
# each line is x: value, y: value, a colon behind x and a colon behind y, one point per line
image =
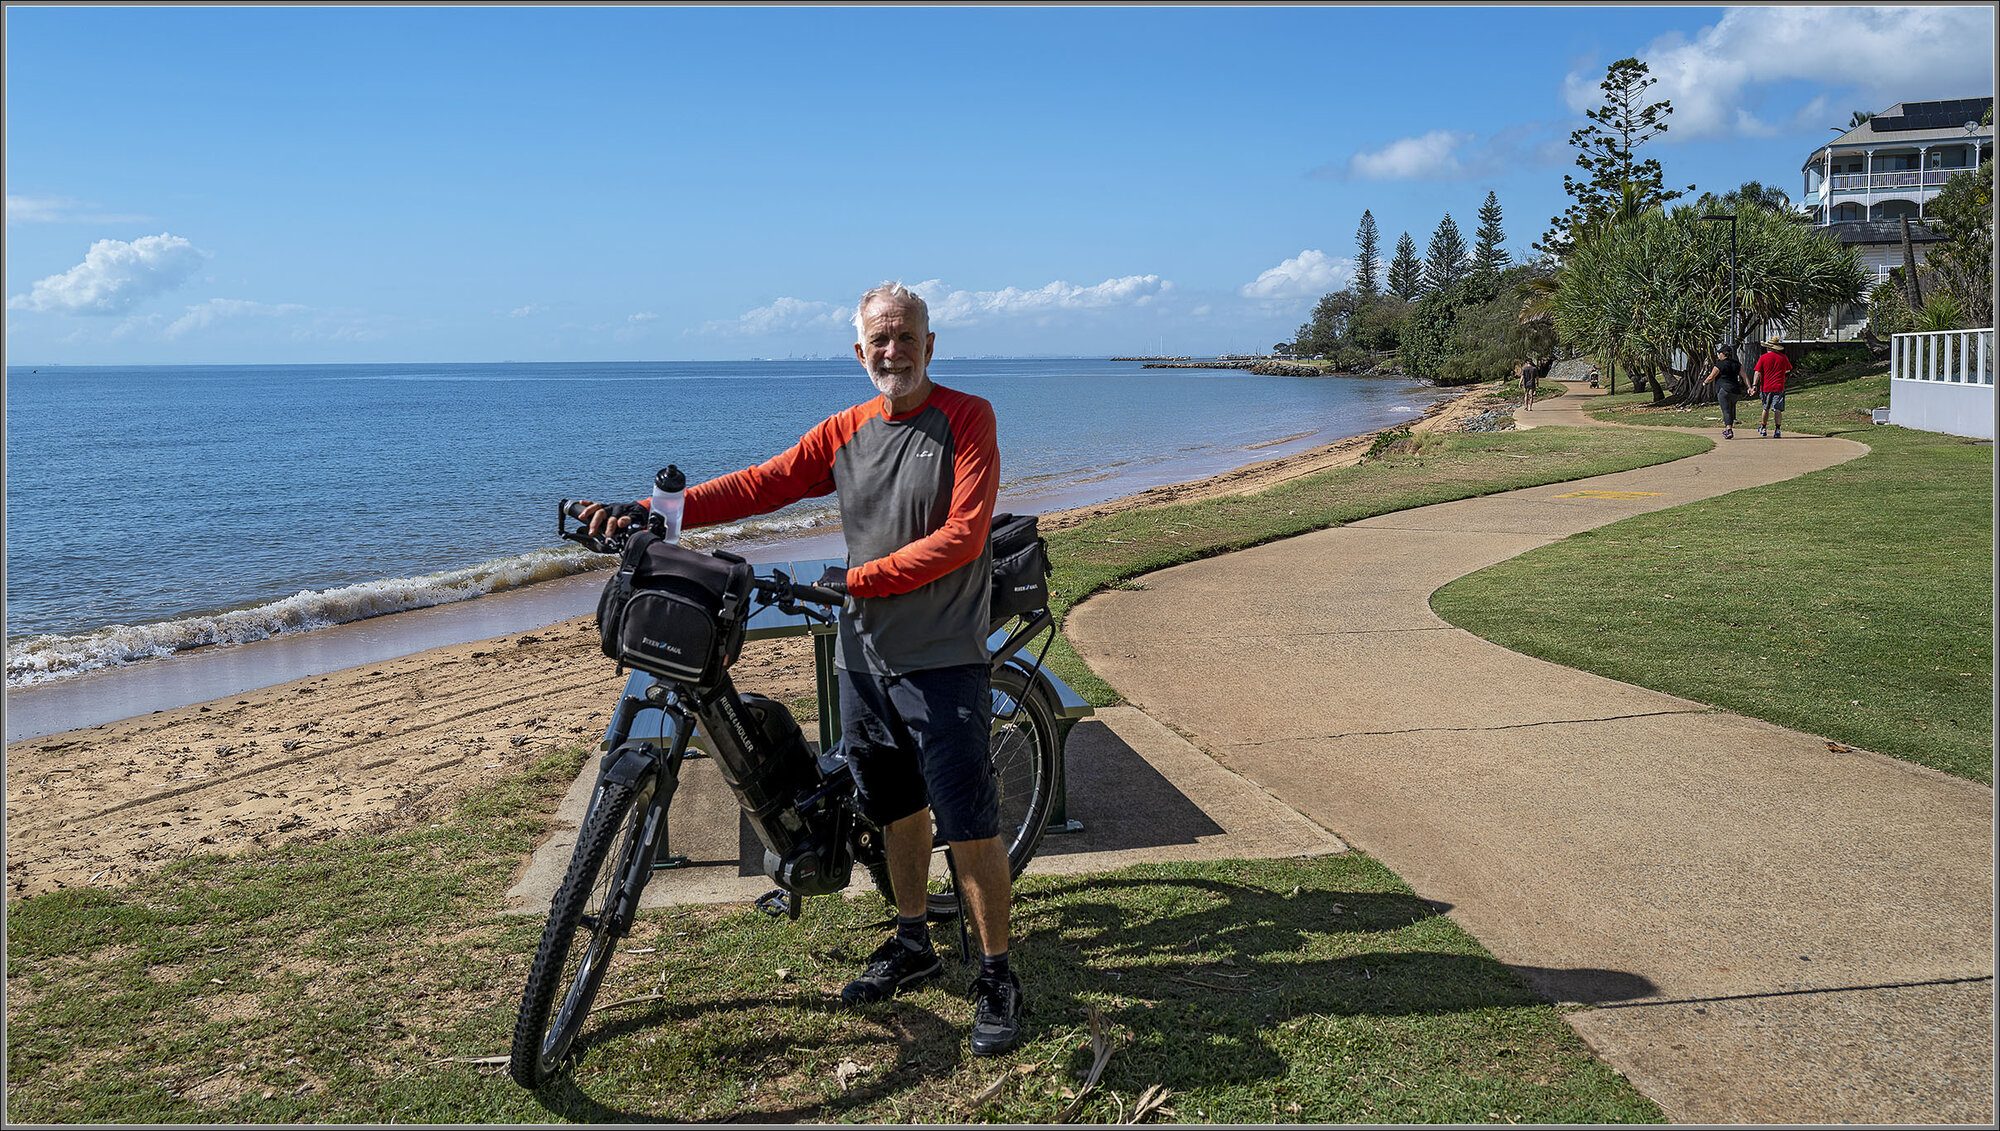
x: 675, y: 612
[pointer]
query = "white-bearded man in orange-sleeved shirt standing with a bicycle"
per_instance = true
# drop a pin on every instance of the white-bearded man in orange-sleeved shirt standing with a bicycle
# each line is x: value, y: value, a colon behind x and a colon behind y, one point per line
x: 917, y: 471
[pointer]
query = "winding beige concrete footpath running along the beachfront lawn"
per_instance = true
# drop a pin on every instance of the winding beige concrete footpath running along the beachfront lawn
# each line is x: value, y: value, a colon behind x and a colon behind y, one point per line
x: 1755, y: 928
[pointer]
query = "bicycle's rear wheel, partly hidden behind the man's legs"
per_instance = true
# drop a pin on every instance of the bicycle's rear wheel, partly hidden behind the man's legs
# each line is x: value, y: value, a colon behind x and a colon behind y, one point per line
x: 1025, y: 756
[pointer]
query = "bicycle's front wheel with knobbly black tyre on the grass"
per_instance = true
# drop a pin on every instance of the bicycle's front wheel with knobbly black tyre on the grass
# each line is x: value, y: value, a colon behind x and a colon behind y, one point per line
x: 581, y: 934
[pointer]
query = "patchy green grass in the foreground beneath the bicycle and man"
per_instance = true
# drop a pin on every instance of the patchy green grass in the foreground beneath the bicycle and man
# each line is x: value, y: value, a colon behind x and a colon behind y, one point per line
x: 369, y: 980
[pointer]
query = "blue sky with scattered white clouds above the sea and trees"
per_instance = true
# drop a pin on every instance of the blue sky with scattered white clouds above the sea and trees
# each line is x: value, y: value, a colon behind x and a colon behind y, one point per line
x: 481, y: 185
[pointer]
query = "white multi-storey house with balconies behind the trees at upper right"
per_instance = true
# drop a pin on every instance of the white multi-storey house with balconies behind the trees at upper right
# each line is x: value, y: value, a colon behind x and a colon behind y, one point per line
x: 1877, y: 175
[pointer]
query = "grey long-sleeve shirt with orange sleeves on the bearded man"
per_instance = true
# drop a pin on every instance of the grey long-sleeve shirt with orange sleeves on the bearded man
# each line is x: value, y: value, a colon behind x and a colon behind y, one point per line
x: 917, y: 503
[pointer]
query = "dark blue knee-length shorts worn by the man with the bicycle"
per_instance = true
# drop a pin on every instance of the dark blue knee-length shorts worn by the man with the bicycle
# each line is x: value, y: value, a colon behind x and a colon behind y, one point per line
x: 923, y: 740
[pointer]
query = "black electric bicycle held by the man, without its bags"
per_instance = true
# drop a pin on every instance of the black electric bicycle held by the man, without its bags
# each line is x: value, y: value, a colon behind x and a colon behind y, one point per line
x: 801, y: 806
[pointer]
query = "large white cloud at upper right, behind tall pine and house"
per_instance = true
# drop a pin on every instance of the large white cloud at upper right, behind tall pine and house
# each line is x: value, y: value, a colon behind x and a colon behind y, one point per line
x: 1877, y: 55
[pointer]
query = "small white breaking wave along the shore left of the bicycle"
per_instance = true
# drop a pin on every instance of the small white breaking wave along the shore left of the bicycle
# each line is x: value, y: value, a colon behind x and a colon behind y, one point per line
x: 51, y: 656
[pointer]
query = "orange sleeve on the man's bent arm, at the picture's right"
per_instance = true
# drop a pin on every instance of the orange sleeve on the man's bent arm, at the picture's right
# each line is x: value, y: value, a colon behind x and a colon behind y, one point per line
x: 963, y: 537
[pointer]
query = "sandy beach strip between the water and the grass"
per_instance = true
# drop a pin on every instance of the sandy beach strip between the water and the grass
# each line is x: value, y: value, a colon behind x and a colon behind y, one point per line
x: 391, y: 744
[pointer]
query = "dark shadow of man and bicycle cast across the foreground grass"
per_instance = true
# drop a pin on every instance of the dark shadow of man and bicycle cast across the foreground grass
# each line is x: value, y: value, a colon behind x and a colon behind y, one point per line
x: 1205, y: 982
